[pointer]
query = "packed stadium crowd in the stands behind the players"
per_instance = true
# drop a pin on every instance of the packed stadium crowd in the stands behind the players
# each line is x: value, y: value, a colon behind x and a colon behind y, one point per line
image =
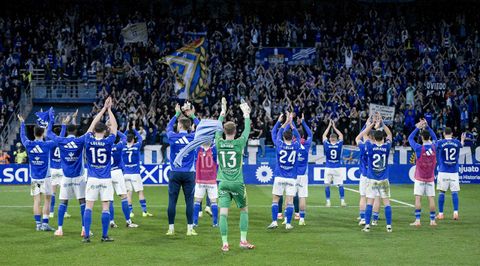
x: 368, y: 55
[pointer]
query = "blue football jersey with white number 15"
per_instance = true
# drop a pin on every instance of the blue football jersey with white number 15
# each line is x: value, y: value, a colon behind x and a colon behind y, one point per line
x: 99, y: 153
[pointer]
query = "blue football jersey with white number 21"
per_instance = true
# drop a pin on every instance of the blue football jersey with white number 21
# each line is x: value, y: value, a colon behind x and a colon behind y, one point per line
x: 378, y: 160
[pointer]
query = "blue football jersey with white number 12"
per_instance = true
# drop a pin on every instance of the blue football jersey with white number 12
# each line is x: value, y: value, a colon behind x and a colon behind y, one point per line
x: 448, y: 151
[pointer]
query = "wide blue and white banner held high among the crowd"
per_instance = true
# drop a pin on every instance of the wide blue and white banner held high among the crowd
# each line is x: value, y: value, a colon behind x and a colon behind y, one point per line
x: 283, y: 55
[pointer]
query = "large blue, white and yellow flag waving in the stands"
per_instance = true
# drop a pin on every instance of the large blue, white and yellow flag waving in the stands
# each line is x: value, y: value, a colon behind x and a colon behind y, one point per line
x: 189, y: 65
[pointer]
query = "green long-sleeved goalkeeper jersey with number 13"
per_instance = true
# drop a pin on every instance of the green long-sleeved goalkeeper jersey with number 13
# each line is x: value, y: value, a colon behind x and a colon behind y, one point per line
x: 230, y: 154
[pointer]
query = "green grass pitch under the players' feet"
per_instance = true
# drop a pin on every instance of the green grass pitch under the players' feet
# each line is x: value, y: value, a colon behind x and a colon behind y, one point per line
x: 331, y: 236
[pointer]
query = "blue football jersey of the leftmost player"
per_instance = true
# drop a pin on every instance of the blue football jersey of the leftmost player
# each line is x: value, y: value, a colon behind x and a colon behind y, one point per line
x: 39, y: 155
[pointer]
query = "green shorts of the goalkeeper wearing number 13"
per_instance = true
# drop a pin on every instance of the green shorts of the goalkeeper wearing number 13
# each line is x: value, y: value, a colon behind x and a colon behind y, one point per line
x: 231, y: 190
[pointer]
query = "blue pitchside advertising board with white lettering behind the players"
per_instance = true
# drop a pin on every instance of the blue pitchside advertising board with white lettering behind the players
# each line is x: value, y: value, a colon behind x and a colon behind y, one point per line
x: 259, y: 174
